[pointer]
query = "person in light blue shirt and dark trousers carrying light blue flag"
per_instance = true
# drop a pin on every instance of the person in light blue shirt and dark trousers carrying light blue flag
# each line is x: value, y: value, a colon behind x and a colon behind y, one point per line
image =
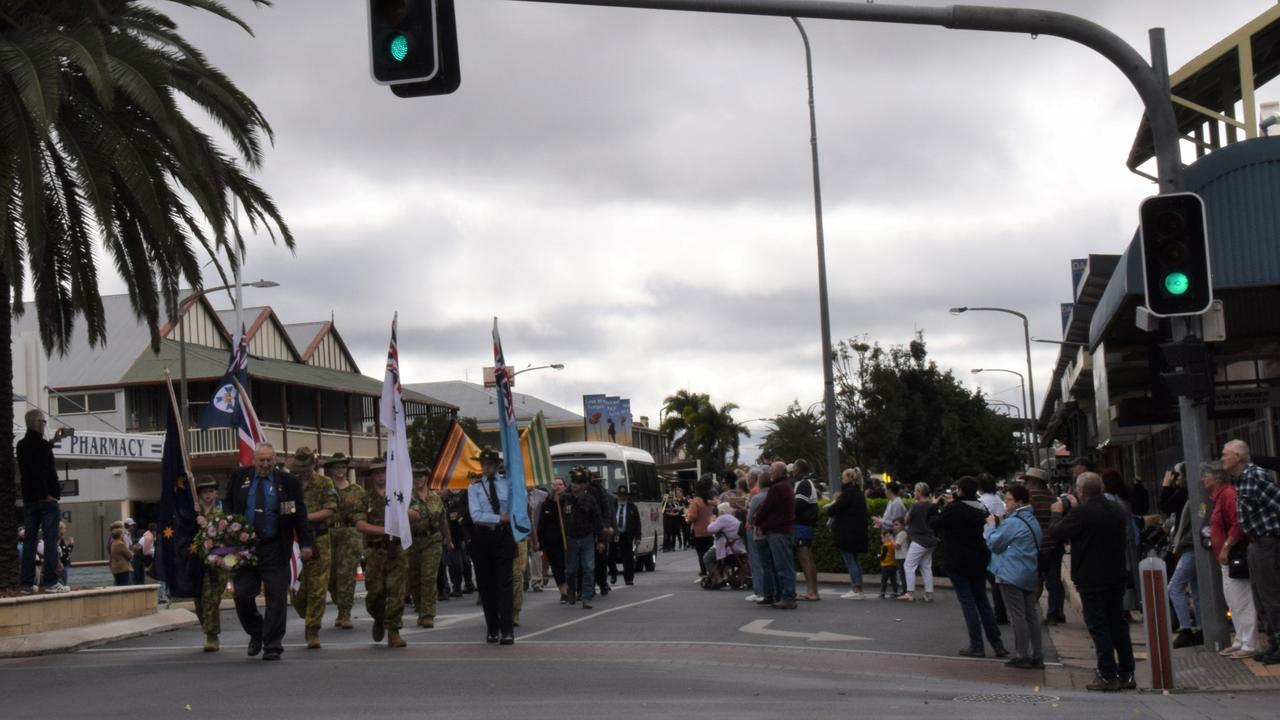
x: 493, y: 548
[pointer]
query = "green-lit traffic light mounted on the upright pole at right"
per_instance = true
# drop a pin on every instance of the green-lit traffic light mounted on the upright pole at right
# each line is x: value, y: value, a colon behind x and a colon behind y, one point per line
x: 1176, y: 256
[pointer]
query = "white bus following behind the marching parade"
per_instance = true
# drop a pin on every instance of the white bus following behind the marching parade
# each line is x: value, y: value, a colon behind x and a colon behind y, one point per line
x: 620, y: 466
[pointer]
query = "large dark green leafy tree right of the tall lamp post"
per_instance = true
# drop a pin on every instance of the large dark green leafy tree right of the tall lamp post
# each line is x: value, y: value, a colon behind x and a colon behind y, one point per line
x: 902, y: 414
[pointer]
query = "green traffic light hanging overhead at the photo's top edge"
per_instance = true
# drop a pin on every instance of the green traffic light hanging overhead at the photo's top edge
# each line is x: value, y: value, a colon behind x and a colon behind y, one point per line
x: 413, y: 45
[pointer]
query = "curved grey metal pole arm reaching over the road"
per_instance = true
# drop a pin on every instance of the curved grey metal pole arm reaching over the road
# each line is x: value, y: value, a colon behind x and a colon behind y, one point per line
x: 1145, y: 80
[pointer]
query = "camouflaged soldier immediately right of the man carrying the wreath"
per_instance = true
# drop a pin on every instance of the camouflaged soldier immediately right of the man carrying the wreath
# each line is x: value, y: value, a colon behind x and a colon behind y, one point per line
x: 322, y: 504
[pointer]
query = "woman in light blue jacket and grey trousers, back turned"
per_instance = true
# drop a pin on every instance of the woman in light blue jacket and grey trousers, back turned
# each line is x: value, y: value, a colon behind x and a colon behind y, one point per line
x: 1014, y: 545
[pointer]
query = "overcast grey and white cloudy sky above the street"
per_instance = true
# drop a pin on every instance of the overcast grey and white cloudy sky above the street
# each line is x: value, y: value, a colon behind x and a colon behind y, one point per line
x: 630, y: 192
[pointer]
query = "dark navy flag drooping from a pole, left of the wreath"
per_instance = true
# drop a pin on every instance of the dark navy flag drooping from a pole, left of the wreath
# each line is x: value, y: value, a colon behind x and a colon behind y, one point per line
x: 176, y: 563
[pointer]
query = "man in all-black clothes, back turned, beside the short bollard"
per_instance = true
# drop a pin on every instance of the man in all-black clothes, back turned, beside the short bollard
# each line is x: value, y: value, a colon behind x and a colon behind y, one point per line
x: 1099, y: 532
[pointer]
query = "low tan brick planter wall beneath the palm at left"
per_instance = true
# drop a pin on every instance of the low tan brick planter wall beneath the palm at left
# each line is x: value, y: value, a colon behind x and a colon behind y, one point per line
x: 39, y: 613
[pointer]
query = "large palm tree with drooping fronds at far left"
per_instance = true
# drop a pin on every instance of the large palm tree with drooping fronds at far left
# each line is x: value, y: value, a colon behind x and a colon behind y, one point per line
x: 95, y: 149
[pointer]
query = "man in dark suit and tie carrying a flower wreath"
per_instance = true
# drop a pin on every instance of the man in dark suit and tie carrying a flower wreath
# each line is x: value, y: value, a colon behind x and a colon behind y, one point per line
x: 272, y: 500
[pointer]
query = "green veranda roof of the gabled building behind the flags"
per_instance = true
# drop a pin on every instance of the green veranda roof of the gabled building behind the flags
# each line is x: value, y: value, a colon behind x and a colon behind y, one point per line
x: 209, y: 364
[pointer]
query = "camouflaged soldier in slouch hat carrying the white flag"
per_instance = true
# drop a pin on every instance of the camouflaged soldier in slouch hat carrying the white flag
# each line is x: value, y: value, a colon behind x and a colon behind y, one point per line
x: 386, y: 563
